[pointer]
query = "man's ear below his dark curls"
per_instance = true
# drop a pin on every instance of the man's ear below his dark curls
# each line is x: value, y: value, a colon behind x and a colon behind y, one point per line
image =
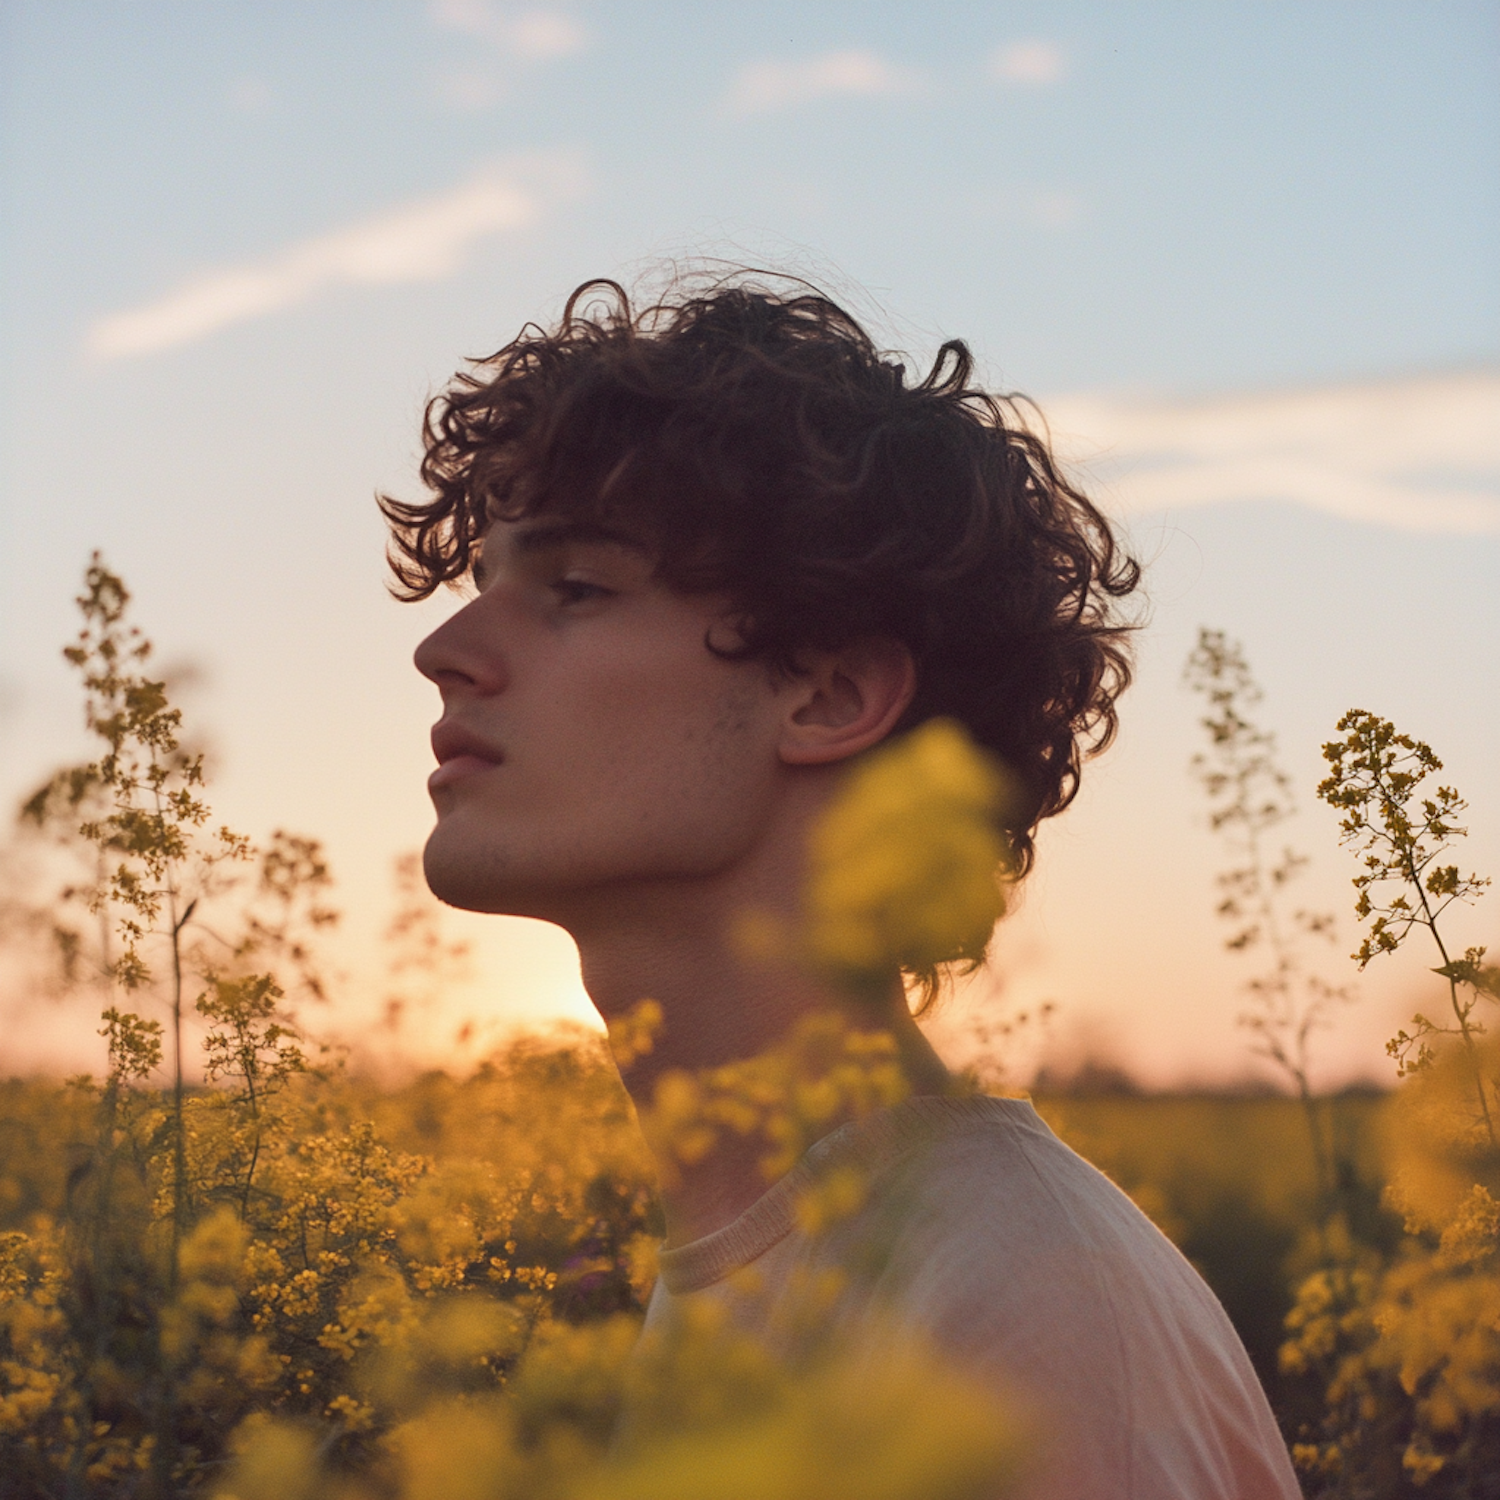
x: 847, y: 701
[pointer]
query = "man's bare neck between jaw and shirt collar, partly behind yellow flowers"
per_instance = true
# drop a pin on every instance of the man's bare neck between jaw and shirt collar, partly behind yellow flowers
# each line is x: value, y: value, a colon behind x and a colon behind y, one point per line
x: 683, y: 949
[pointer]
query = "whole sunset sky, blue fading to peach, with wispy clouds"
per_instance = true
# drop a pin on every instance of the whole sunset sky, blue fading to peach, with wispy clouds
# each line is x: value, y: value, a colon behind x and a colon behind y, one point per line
x: 1243, y: 256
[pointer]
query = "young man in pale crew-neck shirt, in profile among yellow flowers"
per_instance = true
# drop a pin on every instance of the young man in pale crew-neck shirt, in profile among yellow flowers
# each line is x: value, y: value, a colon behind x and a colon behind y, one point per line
x: 721, y: 550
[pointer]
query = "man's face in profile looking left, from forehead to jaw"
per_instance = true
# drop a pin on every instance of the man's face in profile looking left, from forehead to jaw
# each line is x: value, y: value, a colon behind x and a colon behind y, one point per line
x: 589, y: 736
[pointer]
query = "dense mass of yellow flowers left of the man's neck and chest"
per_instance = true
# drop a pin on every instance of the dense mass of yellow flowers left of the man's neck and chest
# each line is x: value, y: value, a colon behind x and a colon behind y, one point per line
x: 322, y: 1289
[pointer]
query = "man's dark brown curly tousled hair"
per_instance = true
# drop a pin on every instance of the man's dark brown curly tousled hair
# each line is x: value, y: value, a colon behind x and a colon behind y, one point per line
x: 764, y: 448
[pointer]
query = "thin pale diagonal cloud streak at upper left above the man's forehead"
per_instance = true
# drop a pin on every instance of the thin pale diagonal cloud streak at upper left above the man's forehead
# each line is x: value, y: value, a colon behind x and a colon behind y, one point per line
x: 418, y: 242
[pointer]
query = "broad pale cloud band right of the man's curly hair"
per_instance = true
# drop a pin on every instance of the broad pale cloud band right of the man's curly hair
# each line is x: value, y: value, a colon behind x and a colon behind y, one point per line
x: 1420, y: 454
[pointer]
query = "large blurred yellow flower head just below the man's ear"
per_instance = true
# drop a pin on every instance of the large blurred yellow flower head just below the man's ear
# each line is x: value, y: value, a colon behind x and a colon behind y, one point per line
x: 907, y: 863
